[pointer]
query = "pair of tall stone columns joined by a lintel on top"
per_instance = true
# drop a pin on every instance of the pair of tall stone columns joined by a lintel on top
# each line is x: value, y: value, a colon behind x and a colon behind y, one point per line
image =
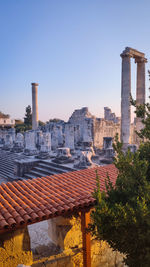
x: 140, y: 59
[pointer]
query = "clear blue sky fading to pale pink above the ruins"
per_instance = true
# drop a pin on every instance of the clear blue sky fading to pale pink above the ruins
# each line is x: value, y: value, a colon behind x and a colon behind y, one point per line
x: 72, y: 49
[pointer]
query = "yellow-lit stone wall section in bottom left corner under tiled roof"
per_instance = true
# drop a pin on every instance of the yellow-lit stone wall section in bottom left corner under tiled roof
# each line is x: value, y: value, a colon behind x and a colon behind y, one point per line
x: 15, y: 248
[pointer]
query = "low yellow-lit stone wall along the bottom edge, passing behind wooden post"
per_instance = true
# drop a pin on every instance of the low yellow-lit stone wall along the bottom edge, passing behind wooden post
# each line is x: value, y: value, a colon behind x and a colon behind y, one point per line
x: 102, y: 256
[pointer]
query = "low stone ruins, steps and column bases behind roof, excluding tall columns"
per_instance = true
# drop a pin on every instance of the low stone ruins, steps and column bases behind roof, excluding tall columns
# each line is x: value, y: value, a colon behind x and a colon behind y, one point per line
x: 57, y: 147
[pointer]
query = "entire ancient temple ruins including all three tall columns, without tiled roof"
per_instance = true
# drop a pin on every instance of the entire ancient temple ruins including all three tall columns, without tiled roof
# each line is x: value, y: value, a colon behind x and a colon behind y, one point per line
x: 82, y: 142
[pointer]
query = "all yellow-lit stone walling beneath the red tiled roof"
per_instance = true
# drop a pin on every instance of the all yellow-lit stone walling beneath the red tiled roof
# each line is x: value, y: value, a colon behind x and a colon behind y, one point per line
x: 15, y: 248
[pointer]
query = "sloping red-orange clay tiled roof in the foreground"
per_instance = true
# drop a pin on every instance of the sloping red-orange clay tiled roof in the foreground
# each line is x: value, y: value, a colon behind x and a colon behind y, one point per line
x: 29, y: 201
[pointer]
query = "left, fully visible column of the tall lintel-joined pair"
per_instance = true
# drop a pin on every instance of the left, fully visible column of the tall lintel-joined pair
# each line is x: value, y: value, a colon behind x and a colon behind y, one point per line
x: 125, y: 99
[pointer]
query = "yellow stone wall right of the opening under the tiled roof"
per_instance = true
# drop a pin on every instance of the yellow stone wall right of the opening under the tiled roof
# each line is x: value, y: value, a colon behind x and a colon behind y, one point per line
x: 66, y: 233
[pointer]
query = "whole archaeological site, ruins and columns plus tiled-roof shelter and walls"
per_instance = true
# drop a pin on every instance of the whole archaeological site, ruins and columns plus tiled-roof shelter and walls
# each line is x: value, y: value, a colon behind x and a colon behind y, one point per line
x: 47, y: 176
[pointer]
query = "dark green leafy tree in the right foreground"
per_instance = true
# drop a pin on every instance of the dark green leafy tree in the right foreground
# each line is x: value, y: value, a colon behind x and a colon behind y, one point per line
x: 122, y: 213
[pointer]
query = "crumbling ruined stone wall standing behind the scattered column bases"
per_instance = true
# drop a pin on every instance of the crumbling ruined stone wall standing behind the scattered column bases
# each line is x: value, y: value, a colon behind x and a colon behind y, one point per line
x: 82, y: 127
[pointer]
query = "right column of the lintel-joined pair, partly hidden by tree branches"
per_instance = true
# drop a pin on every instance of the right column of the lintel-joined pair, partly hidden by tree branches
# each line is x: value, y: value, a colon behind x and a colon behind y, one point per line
x: 140, y: 88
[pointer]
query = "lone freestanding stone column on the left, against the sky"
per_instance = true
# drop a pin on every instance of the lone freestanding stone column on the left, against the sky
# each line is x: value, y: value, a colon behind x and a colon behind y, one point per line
x: 34, y: 106
